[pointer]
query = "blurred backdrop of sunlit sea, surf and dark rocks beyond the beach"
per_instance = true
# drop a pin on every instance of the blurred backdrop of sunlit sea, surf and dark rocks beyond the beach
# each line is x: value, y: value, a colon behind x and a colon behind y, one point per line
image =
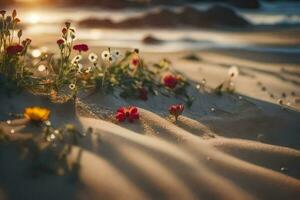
x: 171, y: 25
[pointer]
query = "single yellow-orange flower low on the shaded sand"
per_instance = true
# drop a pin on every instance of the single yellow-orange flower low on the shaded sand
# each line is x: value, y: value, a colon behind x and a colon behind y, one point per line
x: 37, y: 114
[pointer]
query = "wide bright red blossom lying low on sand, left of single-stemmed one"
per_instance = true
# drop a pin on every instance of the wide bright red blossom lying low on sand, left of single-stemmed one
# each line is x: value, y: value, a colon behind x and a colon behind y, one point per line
x: 131, y: 114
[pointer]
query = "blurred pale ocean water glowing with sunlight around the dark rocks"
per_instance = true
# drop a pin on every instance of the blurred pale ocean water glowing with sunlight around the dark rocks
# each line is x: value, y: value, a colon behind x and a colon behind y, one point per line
x: 48, y: 21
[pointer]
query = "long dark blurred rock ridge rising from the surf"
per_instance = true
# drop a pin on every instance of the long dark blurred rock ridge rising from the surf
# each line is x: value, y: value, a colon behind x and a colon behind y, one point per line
x: 216, y: 16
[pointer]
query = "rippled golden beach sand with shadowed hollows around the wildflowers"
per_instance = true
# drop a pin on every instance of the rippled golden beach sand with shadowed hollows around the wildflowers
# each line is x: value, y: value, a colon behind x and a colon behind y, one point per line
x: 246, y: 147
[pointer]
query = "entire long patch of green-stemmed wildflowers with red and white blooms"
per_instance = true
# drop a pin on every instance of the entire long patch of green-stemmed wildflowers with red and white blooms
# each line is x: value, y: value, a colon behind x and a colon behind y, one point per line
x: 61, y: 77
